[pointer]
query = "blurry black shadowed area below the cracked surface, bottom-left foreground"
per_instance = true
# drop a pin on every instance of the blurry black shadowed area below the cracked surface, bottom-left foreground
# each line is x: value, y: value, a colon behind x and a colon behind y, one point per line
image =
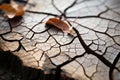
x: 12, y: 68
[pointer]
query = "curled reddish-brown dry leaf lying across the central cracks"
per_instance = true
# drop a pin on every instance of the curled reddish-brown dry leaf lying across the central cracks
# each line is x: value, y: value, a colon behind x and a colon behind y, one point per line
x: 60, y: 25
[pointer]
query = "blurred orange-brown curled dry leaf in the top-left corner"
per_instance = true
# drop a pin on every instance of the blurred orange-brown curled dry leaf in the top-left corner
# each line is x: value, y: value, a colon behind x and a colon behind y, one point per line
x: 12, y: 10
